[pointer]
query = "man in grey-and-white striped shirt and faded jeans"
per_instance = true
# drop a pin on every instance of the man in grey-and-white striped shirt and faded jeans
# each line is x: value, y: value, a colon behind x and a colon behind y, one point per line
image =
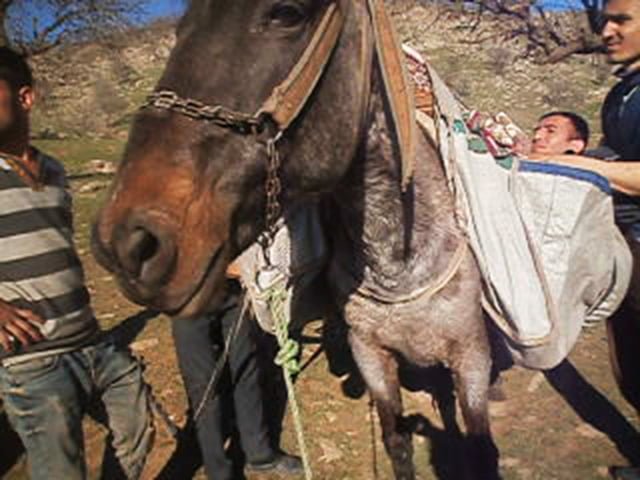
x: 53, y: 361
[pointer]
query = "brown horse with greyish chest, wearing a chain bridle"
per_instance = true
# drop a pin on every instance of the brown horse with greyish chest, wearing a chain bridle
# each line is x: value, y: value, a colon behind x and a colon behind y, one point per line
x: 199, y: 173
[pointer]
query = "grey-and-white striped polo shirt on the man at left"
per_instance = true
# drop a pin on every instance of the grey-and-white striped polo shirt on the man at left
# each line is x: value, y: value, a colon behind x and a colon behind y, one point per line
x: 39, y: 267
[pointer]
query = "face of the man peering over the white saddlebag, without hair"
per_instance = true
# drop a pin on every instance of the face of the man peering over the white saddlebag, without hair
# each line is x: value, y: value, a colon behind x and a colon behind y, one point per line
x: 556, y: 135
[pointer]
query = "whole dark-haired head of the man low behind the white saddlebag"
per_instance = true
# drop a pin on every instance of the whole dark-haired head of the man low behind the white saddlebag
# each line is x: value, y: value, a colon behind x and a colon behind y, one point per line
x: 558, y: 133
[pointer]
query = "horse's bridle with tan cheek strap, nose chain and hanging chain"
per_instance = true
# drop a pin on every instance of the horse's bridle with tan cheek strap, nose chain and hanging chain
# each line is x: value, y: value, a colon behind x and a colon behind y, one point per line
x: 281, y: 108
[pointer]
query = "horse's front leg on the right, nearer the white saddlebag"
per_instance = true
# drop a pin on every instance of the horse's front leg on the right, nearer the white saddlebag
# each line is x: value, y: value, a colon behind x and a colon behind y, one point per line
x: 471, y: 377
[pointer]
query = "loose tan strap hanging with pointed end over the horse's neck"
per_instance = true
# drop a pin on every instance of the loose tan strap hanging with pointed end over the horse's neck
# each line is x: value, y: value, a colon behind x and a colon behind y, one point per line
x: 397, y: 88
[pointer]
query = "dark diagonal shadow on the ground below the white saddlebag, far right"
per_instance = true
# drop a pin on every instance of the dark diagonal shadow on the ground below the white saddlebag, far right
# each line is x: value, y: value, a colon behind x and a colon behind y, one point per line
x: 595, y: 409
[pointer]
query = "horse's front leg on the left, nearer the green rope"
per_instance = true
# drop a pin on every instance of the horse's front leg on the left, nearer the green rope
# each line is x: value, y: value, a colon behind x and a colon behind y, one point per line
x: 379, y: 369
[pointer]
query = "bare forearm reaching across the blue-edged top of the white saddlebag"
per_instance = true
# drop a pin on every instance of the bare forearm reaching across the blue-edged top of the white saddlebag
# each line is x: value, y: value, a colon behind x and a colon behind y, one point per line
x: 623, y: 176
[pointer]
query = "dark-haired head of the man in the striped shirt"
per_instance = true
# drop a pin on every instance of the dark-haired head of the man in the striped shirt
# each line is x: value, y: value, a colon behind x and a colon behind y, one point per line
x: 16, y: 93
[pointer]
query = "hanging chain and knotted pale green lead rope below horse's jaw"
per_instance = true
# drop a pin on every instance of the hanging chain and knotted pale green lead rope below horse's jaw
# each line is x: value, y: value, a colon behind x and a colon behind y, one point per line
x: 276, y: 298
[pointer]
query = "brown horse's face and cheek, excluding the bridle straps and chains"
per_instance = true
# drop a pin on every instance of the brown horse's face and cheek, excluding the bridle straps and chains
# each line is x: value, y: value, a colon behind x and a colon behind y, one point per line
x: 189, y: 195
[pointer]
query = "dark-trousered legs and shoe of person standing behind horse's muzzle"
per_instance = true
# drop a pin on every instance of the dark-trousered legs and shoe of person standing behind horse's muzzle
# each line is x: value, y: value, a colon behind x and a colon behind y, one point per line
x: 200, y: 342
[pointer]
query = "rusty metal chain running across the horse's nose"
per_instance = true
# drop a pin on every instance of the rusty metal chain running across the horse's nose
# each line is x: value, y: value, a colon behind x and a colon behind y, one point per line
x: 219, y: 115
